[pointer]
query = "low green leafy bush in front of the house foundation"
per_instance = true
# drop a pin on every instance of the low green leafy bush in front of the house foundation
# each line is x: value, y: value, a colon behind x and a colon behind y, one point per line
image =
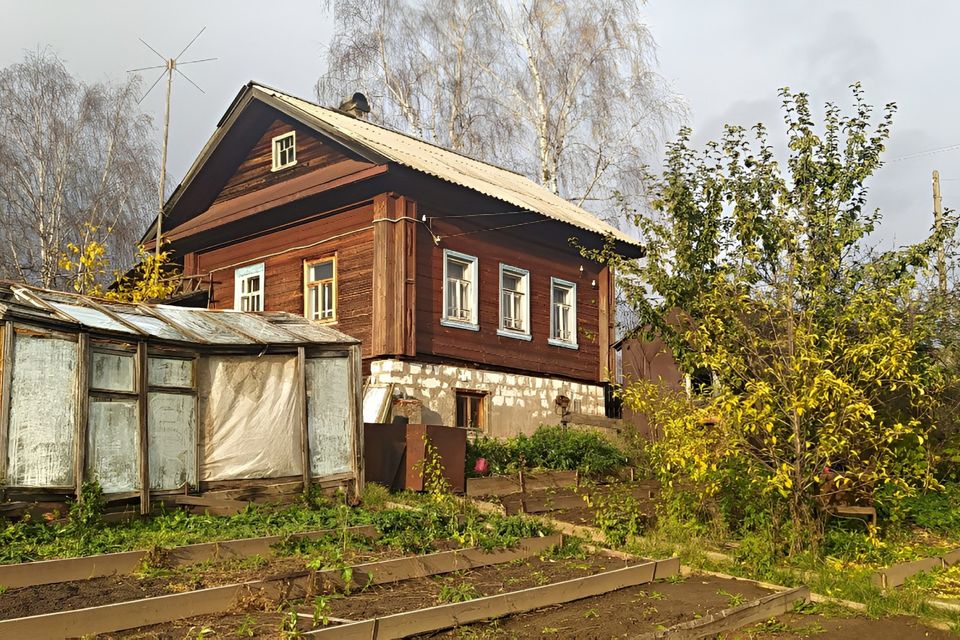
x: 558, y: 448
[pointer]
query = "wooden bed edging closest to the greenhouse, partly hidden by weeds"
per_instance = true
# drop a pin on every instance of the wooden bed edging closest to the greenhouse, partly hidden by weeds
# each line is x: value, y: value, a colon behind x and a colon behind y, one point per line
x: 28, y: 574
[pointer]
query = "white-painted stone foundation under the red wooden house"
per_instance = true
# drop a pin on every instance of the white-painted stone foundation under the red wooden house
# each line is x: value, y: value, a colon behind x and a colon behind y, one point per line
x: 513, y: 403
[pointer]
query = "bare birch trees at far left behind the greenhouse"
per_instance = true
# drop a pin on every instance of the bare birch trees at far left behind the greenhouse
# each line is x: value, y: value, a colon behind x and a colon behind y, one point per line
x: 77, y: 164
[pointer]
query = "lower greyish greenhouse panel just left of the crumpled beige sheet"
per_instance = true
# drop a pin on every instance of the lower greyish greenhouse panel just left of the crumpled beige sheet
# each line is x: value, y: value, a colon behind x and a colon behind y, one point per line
x: 171, y: 435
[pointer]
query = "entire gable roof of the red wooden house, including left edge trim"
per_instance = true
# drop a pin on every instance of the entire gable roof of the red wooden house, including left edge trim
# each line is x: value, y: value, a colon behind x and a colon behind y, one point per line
x: 383, y: 145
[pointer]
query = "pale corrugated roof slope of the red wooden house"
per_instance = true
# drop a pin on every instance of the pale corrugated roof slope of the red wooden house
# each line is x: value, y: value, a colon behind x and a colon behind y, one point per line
x: 447, y: 165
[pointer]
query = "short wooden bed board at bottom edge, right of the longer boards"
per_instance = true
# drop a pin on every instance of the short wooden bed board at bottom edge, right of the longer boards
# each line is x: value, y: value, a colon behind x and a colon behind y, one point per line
x: 733, y: 618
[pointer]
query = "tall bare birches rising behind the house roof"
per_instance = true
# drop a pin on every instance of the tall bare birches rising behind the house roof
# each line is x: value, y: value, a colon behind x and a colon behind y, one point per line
x: 566, y: 93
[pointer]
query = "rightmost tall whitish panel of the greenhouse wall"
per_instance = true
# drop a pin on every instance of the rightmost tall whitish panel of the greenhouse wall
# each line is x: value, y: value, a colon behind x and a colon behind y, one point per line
x: 328, y: 416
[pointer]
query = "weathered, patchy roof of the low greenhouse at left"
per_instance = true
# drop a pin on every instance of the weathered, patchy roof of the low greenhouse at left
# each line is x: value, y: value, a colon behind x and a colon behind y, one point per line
x: 164, y: 322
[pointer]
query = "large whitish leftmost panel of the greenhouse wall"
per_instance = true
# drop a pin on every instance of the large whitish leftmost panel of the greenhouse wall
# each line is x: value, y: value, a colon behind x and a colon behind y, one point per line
x: 43, y: 404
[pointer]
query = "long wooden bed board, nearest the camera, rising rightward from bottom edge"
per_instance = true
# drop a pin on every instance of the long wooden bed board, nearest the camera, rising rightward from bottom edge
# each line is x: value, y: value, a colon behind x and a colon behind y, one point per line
x: 409, y: 623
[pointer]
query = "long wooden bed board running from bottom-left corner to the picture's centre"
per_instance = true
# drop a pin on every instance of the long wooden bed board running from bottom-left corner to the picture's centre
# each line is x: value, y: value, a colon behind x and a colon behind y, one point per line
x: 158, y: 610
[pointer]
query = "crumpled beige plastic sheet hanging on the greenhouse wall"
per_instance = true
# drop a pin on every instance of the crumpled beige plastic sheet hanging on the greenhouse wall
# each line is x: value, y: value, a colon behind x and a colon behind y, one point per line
x: 249, y: 417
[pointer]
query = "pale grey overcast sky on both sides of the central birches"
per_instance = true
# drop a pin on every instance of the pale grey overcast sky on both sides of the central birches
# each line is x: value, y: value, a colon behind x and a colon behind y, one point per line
x: 728, y: 58
